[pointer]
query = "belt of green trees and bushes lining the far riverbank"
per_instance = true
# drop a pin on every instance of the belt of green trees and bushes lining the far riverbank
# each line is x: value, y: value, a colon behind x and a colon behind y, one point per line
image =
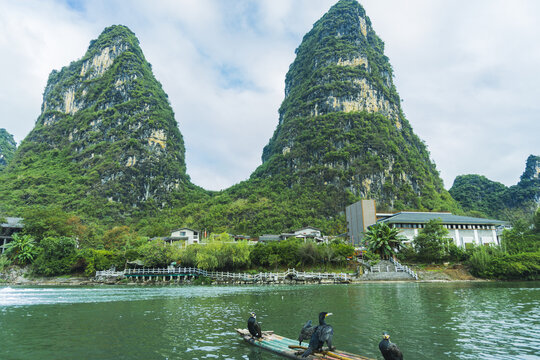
x: 59, y: 244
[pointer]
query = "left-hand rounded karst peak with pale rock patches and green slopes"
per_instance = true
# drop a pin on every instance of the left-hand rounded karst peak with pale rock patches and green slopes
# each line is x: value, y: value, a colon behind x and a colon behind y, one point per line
x: 106, y: 143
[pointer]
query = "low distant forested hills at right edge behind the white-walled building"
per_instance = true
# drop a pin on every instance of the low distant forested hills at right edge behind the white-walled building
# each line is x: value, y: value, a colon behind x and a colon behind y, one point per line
x: 477, y: 193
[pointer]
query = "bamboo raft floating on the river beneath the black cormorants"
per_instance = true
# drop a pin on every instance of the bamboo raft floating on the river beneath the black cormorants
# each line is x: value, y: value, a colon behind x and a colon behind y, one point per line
x: 289, y: 348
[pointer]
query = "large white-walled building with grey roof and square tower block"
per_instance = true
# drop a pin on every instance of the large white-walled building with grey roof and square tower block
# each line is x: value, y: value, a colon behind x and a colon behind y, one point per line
x: 465, y: 231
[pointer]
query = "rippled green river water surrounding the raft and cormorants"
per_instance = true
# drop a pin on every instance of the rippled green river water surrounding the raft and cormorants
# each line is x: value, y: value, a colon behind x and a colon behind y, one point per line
x: 462, y: 320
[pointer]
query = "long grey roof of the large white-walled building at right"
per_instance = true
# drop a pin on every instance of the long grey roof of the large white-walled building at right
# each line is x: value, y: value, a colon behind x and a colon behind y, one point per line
x: 446, y: 218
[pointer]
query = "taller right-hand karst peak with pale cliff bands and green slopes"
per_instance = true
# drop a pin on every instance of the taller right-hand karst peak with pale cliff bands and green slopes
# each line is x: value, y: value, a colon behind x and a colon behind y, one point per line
x: 341, y: 125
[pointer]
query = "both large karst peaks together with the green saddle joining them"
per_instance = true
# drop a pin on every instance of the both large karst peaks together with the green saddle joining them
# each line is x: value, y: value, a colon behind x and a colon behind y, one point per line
x: 107, y: 146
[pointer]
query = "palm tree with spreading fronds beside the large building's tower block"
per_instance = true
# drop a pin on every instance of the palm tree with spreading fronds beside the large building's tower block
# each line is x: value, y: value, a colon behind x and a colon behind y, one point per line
x: 382, y: 239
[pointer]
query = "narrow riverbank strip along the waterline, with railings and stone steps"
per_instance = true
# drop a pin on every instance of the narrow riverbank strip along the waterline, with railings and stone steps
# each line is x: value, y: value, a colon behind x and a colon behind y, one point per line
x: 426, y: 273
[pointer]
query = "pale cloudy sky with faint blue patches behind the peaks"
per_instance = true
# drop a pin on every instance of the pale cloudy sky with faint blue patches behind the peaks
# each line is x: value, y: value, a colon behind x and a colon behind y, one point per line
x: 467, y: 72
